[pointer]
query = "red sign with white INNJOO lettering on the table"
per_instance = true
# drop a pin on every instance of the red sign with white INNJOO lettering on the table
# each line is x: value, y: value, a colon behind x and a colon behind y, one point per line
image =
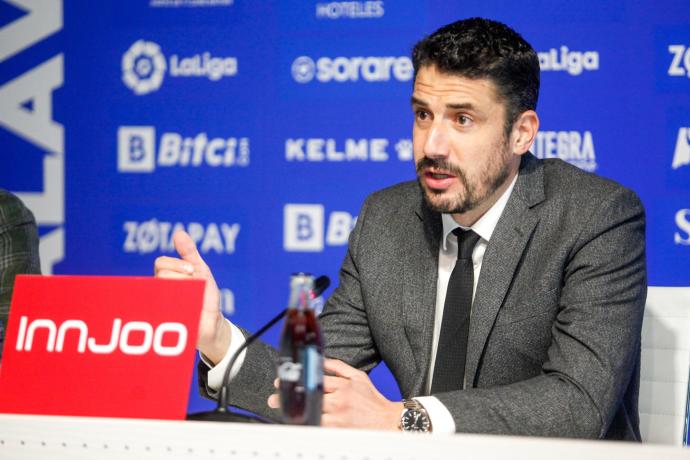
x: 100, y: 346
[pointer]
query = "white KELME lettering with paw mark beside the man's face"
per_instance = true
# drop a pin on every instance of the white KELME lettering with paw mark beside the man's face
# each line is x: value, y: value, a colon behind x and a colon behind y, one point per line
x: 317, y: 149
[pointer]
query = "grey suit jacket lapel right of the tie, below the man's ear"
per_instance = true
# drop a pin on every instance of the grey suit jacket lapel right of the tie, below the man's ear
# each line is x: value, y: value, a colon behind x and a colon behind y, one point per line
x: 508, y: 242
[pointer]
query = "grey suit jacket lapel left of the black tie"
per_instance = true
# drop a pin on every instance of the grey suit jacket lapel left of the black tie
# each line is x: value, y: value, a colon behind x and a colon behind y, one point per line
x: 419, y: 288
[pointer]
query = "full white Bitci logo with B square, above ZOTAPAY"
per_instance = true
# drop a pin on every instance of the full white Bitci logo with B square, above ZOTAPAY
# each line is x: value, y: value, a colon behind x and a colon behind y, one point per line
x: 136, y: 150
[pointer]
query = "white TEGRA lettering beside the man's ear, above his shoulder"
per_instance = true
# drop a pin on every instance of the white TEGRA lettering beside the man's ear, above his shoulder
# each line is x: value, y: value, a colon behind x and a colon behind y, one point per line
x: 575, y: 147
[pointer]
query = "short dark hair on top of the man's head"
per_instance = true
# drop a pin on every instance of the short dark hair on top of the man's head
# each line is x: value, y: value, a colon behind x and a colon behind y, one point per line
x: 481, y: 48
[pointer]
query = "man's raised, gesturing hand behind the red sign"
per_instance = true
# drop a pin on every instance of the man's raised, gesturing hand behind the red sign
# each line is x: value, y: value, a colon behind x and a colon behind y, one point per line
x: 214, y: 331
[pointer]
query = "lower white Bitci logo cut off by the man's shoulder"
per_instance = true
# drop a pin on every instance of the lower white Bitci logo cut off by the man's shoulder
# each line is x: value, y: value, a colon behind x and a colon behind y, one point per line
x: 304, y: 228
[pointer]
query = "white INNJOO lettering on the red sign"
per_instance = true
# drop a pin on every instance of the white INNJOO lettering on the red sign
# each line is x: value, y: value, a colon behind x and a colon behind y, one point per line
x: 119, y: 337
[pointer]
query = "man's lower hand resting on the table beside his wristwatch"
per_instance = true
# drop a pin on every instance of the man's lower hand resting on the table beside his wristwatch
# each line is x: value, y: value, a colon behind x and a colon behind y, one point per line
x: 350, y: 400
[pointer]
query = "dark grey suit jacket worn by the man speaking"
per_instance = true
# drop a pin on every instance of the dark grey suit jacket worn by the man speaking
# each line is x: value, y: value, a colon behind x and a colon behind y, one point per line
x: 554, y: 344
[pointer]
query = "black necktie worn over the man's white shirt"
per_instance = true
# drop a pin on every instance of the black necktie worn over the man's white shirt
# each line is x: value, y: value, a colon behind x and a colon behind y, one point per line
x: 449, y: 370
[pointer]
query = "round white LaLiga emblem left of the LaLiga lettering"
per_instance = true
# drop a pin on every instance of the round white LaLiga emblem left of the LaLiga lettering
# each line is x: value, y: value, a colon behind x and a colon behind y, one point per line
x: 143, y: 67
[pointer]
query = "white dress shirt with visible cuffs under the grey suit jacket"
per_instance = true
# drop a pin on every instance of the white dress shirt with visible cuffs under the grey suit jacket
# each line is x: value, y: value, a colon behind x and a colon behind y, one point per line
x: 441, y: 419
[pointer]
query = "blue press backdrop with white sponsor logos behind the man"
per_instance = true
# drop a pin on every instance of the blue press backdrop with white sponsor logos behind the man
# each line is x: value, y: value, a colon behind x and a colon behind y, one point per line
x: 226, y: 117
